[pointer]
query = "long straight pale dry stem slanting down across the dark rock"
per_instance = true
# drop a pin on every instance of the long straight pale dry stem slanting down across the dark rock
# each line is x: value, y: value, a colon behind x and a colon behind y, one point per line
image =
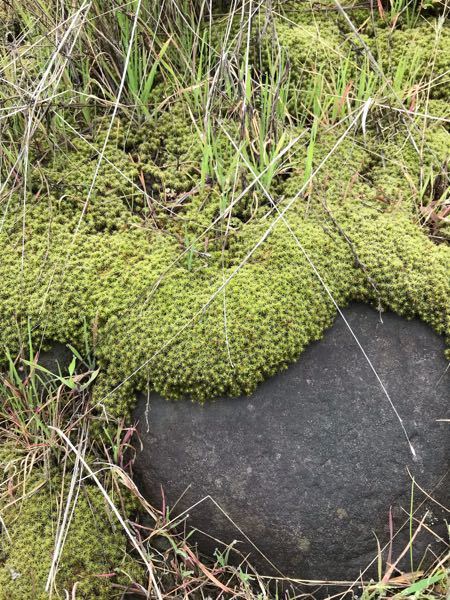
x: 328, y: 291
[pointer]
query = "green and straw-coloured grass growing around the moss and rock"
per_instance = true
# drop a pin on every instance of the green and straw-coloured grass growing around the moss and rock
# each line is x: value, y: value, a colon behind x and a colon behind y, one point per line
x: 70, y: 68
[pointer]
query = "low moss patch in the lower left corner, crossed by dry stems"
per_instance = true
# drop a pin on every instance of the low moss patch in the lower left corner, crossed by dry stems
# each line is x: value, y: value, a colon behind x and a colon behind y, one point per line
x: 94, y: 553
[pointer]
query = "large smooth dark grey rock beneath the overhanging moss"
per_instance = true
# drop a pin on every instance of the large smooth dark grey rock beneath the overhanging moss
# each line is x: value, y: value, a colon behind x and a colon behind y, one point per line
x: 310, y: 464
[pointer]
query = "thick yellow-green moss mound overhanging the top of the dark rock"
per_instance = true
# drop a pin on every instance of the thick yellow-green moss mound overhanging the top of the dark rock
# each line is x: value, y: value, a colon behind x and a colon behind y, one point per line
x: 150, y: 303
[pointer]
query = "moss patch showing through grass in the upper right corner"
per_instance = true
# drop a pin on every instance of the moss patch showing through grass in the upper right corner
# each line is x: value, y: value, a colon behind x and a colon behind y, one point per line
x: 316, y: 46
